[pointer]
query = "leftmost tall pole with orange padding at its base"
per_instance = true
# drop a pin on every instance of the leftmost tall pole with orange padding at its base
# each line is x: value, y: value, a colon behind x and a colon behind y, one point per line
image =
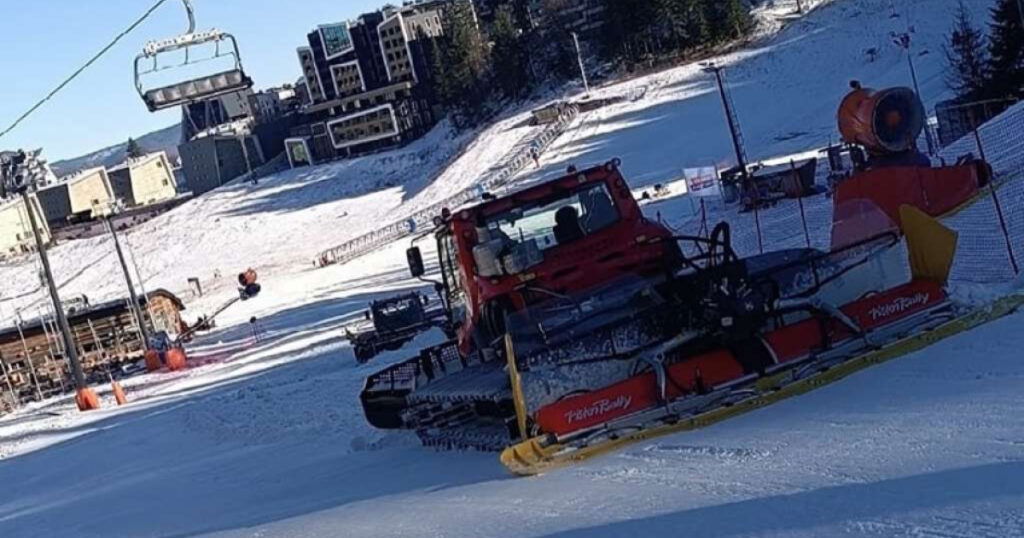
x: 20, y: 174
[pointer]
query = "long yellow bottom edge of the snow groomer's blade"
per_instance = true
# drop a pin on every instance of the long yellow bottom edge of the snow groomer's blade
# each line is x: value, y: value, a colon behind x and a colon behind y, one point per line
x: 535, y: 457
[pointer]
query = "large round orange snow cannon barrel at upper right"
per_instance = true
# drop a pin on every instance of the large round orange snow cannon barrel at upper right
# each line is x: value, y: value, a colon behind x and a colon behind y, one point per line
x: 884, y: 122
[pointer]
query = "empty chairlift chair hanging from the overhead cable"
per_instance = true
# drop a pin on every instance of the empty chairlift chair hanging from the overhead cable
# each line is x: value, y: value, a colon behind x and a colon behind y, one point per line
x: 197, y: 90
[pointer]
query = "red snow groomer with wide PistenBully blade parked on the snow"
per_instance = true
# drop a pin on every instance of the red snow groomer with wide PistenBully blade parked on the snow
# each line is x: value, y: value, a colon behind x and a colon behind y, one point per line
x: 583, y: 325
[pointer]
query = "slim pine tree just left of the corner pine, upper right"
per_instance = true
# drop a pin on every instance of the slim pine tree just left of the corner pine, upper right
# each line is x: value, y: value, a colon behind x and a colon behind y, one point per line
x: 965, y: 50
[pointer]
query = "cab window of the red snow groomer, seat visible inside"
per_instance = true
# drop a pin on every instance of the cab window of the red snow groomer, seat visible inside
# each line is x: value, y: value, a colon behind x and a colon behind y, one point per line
x: 559, y: 222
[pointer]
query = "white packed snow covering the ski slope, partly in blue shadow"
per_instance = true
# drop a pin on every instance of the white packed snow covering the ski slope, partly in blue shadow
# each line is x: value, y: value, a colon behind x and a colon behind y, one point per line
x: 266, y: 438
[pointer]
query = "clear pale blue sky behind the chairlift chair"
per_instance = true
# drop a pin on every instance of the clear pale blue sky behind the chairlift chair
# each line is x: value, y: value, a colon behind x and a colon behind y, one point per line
x: 46, y: 40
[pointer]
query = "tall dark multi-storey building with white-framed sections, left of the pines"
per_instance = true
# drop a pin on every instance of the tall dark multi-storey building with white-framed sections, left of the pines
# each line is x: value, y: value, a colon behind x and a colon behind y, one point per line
x: 368, y: 81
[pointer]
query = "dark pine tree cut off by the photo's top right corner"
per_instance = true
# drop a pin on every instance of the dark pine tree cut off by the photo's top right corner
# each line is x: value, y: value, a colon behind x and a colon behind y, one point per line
x: 1007, y: 52
